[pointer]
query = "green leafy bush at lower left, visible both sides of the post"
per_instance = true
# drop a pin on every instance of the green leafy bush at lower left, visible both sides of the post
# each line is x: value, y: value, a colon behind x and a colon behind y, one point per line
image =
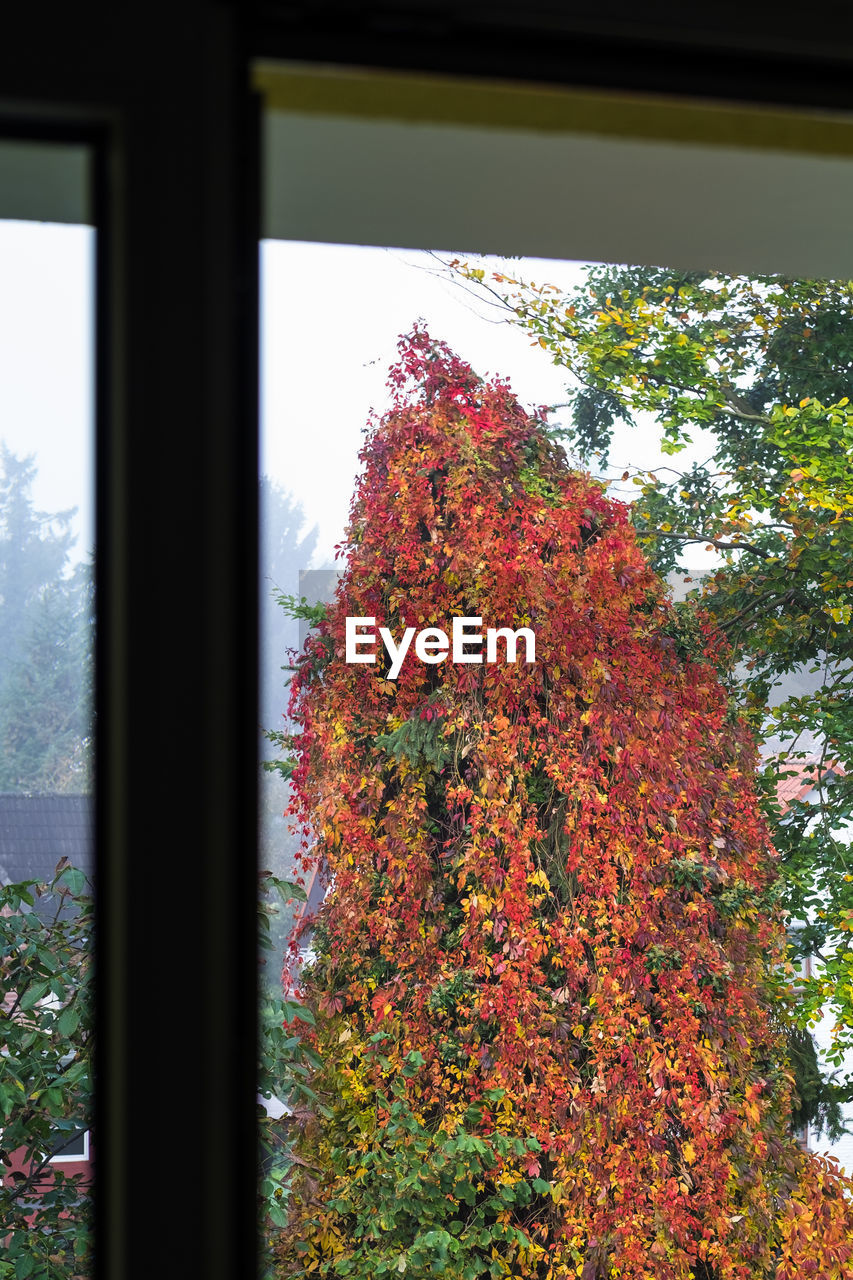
x: 47, y: 1075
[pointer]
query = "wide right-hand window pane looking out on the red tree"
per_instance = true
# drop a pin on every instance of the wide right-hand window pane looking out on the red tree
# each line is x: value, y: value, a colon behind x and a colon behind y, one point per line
x: 703, y: 403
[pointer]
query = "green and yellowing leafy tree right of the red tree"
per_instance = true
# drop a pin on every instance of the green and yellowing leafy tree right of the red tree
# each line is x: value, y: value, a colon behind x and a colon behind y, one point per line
x: 765, y: 365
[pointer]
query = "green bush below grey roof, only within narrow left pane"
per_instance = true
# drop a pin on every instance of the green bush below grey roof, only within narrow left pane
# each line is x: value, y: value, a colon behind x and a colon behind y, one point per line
x: 45, y: 1075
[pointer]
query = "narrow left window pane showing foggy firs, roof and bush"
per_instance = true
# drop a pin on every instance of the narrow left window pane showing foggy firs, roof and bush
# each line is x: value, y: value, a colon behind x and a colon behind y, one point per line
x: 47, y: 716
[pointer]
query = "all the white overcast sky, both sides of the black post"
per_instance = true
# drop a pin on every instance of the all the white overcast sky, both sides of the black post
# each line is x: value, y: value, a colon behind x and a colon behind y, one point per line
x: 331, y: 318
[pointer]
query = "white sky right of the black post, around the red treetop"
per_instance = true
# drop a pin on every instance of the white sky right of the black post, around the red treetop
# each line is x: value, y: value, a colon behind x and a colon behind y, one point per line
x: 331, y: 317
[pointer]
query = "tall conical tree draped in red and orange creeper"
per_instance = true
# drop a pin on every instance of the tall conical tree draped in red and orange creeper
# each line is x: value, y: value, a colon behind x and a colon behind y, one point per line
x: 549, y: 985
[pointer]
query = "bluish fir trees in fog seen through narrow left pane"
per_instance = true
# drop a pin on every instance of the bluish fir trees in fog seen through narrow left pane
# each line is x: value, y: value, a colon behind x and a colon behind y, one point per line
x: 47, y: 639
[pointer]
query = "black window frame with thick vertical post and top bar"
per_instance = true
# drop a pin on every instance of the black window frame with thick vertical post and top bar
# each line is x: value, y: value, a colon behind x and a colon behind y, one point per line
x: 162, y: 94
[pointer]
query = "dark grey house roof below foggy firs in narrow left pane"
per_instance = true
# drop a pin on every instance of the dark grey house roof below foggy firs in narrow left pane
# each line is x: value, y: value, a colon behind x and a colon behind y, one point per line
x: 38, y: 830
